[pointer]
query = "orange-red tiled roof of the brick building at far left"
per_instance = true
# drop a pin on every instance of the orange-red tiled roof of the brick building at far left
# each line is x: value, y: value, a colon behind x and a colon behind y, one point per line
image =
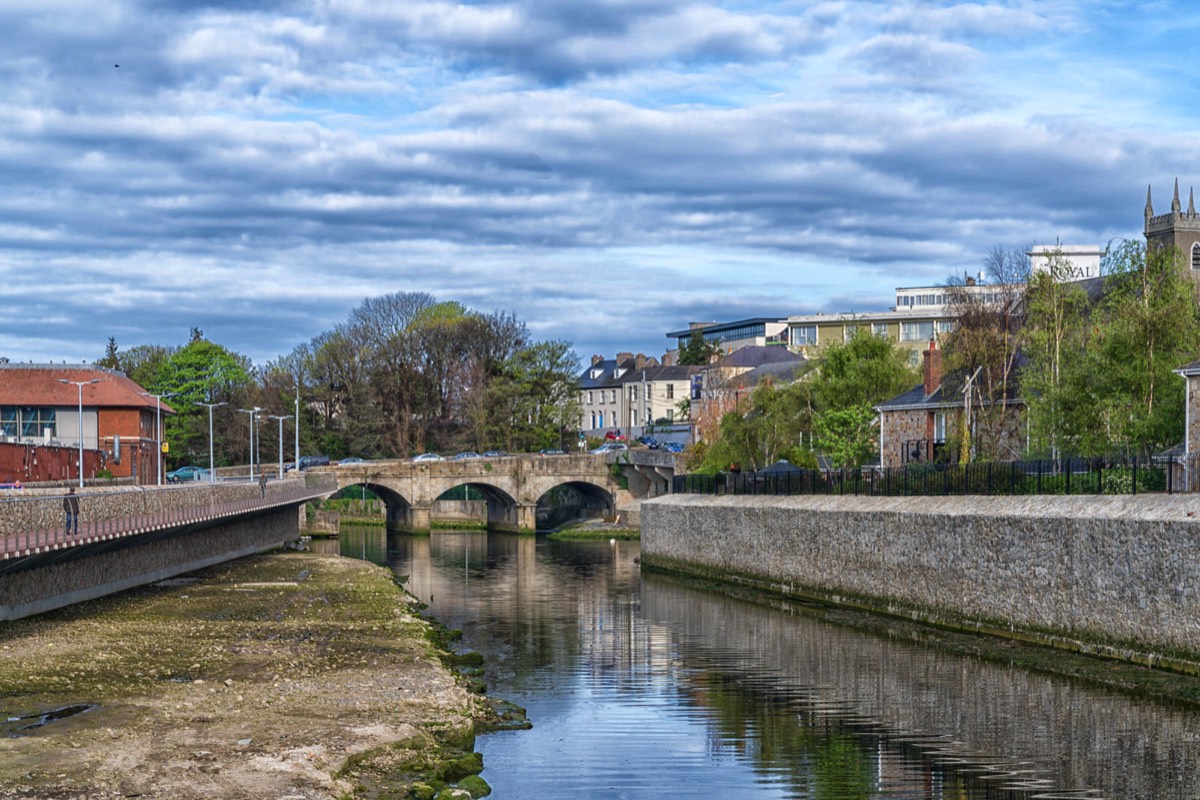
x: 39, y: 384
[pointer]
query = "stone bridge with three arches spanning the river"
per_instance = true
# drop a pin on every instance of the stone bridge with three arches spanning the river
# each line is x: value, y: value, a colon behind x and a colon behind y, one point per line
x: 511, y: 485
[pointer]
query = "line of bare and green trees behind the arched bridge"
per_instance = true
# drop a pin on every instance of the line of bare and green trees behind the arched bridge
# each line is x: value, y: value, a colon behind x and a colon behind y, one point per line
x: 404, y: 375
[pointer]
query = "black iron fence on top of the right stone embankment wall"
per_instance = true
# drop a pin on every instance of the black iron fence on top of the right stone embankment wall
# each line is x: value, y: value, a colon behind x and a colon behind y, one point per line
x: 1131, y: 476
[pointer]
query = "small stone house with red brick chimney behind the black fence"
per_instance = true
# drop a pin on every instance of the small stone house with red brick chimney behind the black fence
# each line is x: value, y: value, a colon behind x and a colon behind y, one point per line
x: 923, y: 424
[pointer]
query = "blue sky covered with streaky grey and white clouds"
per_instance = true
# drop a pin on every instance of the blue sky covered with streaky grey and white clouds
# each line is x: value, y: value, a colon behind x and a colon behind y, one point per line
x: 609, y: 171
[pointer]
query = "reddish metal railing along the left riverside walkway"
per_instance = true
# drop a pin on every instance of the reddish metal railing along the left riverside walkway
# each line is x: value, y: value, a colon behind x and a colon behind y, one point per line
x: 93, y: 528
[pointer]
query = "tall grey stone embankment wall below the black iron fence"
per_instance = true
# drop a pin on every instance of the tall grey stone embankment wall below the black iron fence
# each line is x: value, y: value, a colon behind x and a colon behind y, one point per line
x: 1118, y: 576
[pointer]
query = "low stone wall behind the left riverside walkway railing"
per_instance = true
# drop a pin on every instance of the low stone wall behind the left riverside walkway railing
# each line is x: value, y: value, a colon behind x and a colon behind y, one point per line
x: 28, y: 510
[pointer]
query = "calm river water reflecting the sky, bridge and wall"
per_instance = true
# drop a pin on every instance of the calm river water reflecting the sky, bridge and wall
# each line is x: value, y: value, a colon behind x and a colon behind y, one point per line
x: 640, y: 687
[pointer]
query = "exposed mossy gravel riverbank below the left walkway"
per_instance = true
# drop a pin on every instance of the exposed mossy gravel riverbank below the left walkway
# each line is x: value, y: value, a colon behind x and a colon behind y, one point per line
x: 281, y: 676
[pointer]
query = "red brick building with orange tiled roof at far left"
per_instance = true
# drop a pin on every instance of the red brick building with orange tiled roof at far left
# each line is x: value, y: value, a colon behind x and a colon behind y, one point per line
x: 41, y: 425
